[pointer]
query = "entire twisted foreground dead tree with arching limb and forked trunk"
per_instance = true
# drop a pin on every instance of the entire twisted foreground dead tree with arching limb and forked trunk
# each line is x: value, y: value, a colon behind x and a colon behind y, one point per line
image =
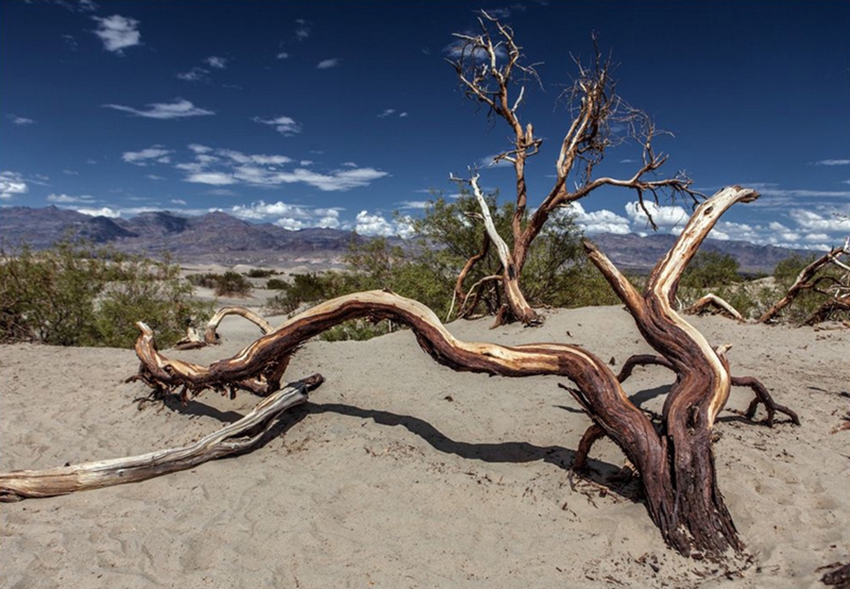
x: 675, y: 460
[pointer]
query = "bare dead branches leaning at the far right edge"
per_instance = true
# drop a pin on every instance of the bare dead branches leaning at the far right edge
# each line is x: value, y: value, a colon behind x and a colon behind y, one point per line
x: 812, y: 279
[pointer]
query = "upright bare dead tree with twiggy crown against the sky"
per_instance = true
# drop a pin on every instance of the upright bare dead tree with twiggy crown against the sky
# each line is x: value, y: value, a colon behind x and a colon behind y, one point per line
x: 489, y: 66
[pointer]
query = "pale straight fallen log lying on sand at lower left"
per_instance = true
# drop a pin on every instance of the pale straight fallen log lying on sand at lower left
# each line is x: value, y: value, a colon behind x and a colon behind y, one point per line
x: 242, y: 436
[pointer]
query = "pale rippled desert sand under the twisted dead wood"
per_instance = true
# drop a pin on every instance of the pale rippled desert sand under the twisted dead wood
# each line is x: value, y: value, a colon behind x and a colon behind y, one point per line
x: 401, y: 473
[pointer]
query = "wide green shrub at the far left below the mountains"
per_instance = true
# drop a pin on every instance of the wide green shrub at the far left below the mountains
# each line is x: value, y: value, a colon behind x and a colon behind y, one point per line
x: 75, y: 295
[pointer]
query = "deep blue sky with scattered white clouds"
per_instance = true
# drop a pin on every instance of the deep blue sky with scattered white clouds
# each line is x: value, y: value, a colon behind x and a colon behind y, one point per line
x: 337, y: 114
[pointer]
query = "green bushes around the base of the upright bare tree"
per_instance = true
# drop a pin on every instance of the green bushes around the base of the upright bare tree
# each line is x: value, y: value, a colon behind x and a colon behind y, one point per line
x: 426, y: 267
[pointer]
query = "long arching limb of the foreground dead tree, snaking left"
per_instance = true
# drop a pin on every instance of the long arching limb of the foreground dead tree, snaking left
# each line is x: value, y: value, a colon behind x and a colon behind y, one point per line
x: 597, y: 388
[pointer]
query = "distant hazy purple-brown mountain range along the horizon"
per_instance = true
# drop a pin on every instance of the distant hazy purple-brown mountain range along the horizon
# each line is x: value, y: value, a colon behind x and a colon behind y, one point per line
x: 220, y: 238
